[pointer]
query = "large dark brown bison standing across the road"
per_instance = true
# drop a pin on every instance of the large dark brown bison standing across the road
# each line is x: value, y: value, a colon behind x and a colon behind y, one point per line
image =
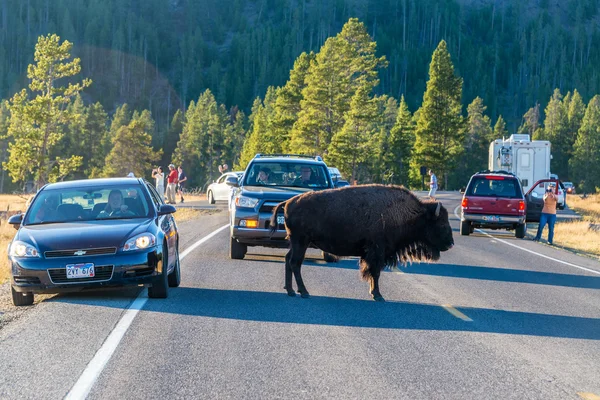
x: 383, y: 225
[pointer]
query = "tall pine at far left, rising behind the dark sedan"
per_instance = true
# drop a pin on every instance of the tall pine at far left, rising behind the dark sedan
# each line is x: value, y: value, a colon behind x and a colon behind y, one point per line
x: 37, y: 125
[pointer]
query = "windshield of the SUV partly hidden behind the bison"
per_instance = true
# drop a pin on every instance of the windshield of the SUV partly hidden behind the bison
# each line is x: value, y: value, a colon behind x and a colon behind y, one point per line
x: 295, y: 174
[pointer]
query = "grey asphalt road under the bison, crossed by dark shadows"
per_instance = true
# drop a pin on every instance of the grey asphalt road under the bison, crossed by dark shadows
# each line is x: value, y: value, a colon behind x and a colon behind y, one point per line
x: 496, y: 318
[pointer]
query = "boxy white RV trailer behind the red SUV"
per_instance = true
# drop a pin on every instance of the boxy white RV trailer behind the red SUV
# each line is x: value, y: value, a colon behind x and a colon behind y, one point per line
x: 528, y: 159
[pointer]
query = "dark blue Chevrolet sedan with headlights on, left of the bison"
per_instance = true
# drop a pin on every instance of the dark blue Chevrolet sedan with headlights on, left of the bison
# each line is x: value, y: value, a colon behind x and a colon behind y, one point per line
x: 94, y: 233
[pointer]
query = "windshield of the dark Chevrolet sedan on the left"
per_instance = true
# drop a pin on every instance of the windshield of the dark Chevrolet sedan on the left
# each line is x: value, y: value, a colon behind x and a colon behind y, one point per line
x: 88, y: 204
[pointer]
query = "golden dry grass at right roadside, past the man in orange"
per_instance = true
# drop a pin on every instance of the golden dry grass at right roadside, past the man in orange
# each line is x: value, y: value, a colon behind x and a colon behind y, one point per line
x: 577, y: 235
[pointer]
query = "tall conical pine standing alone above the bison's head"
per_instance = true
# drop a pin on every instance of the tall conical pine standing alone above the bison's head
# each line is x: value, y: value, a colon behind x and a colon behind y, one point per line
x: 440, y: 126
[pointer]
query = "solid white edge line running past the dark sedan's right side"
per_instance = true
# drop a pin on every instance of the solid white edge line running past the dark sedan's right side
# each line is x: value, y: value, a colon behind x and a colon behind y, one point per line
x: 92, y: 371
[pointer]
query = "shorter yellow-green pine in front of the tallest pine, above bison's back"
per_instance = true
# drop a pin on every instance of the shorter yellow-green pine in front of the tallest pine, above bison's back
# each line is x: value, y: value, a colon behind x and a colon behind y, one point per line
x: 350, y: 146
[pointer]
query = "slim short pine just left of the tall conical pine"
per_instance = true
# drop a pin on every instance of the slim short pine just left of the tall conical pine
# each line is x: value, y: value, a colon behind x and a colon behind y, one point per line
x: 402, y: 139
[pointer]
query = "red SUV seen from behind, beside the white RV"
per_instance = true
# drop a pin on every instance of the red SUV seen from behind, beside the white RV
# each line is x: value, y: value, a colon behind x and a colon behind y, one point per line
x: 493, y: 199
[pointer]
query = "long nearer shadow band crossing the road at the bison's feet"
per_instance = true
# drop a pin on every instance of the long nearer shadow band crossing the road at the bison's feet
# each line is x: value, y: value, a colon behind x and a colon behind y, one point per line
x: 333, y: 311
